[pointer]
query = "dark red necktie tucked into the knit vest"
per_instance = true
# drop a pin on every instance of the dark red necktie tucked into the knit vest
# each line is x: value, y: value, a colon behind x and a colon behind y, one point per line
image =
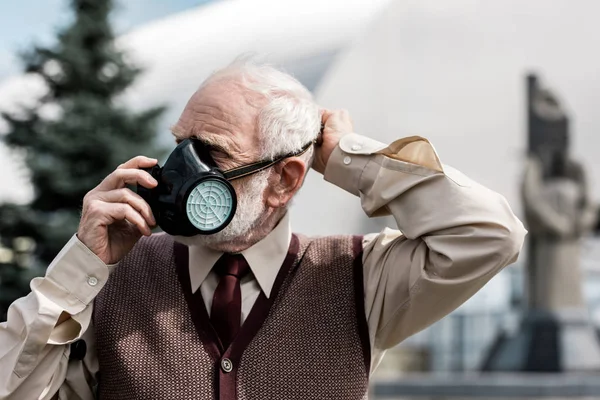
x: 226, y: 310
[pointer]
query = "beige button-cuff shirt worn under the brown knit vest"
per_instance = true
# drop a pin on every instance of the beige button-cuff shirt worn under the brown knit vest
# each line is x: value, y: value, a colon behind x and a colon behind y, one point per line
x: 456, y: 235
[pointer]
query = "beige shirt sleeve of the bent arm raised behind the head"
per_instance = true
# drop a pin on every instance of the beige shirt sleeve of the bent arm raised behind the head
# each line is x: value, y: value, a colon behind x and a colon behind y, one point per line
x: 454, y: 234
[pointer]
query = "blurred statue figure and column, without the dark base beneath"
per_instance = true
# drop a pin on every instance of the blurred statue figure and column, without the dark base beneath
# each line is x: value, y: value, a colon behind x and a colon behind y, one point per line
x: 558, y: 211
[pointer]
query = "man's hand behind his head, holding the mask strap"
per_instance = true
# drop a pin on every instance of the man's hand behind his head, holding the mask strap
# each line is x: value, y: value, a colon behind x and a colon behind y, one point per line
x: 335, y: 125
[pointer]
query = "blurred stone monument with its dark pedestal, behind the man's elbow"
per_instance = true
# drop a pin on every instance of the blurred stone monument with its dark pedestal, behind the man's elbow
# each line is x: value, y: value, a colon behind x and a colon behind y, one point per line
x: 556, y: 333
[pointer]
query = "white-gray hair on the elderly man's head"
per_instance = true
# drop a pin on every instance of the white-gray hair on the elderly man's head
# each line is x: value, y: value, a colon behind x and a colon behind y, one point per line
x: 290, y: 119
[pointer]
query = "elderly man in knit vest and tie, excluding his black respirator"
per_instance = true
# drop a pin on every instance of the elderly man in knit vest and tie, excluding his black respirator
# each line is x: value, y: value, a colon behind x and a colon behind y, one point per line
x: 255, y: 311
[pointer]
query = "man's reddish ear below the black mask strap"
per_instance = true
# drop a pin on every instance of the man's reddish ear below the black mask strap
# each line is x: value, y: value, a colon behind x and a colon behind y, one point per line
x: 286, y: 180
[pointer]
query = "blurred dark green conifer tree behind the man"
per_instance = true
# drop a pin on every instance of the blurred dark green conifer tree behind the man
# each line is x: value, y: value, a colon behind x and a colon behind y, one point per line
x: 70, y: 140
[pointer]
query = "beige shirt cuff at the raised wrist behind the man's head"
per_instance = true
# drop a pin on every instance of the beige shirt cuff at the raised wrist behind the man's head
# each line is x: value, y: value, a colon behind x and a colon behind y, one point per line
x: 349, y: 159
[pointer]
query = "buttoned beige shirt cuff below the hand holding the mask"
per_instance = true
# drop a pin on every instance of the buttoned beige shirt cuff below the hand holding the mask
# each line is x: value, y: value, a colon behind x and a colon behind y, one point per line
x: 74, y: 278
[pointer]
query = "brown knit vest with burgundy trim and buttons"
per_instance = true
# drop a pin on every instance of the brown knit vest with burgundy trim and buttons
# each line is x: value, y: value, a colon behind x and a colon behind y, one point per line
x: 309, y: 340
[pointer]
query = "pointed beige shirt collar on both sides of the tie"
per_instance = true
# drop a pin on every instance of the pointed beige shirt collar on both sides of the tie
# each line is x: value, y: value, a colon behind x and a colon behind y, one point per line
x: 265, y: 258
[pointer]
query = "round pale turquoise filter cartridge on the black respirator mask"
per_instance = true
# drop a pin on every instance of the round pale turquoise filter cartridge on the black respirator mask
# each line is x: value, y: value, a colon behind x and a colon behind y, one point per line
x: 209, y: 205
